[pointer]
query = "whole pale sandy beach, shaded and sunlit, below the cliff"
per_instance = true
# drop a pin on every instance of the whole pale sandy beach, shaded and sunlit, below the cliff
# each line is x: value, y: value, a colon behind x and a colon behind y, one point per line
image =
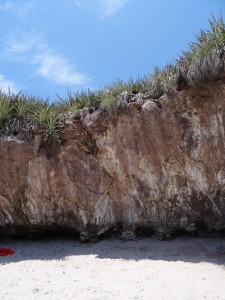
x: 184, y: 268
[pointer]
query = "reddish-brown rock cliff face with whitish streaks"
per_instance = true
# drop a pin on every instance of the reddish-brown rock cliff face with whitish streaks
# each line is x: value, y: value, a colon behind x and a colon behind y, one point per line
x: 154, y: 166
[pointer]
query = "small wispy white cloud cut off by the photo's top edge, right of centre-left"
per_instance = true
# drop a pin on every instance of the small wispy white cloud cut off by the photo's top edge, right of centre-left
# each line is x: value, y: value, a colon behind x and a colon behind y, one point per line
x: 105, y: 8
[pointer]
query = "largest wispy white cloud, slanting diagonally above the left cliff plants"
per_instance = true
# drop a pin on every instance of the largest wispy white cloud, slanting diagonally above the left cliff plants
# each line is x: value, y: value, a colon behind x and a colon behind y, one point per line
x: 32, y: 50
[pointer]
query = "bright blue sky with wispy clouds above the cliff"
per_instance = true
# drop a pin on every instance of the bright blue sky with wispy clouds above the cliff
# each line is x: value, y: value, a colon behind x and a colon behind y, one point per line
x: 48, y: 47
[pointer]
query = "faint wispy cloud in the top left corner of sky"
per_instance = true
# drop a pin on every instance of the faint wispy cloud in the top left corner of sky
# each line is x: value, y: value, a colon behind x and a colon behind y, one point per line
x: 21, y: 10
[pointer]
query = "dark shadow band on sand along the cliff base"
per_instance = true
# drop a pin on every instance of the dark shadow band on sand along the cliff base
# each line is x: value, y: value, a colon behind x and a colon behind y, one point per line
x: 182, y: 248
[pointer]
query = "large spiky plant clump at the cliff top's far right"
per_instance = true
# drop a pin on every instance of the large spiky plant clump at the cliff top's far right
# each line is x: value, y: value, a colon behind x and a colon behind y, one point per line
x: 205, y: 58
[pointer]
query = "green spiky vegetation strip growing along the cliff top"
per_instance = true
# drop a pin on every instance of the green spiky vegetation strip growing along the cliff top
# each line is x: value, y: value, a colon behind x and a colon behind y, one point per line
x: 204, y: 61
